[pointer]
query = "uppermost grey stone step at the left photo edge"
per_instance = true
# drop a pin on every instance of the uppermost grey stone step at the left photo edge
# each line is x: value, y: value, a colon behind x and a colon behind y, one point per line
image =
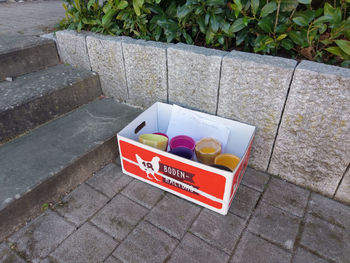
x: 20, y: 55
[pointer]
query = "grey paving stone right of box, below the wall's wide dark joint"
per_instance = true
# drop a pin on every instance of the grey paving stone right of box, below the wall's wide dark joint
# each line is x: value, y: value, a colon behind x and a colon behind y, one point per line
x: 286, y: 196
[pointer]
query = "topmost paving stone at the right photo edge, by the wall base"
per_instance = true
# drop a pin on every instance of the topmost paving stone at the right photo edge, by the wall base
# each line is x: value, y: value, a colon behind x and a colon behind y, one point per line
x: 330, y: 210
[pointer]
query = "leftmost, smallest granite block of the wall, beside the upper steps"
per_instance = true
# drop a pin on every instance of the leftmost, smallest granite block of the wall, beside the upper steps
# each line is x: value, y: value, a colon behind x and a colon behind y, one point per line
x: 72, y: 48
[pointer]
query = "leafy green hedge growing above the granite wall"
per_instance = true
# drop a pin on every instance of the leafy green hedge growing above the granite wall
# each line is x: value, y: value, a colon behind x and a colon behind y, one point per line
x: 318, y: 30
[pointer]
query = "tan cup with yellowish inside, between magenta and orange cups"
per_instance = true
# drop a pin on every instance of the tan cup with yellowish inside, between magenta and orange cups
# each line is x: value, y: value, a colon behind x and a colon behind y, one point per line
x: 207, y: 149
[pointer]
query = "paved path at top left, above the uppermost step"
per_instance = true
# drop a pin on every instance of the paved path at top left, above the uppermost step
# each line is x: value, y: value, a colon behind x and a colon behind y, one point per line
x: 29, y: 18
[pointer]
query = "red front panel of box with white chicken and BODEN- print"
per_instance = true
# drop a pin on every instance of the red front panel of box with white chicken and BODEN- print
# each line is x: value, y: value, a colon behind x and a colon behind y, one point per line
x: 173, y: 174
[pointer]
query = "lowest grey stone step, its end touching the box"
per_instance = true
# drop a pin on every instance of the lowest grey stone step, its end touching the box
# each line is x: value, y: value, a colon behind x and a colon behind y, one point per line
x: 54, y: 158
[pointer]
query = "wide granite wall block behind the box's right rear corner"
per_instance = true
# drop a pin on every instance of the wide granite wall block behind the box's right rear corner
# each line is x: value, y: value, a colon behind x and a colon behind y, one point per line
x: 253, y: 89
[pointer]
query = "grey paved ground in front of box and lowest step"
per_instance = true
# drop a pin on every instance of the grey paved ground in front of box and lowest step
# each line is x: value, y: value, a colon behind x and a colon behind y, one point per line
x: 114, y: 218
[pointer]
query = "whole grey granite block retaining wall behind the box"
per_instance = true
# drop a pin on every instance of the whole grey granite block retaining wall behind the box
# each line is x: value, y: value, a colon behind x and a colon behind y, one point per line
x: 301, y: 111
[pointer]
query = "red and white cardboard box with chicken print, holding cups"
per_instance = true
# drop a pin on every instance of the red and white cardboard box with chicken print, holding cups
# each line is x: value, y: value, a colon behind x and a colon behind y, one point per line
x: 202, y: 184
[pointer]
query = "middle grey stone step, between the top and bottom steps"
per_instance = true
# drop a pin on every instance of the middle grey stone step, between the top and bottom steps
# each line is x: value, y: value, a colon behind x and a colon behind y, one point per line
x: 35, y: 98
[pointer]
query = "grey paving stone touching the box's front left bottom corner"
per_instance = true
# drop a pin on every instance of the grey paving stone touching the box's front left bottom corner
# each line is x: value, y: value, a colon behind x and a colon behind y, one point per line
x: 109, y: 180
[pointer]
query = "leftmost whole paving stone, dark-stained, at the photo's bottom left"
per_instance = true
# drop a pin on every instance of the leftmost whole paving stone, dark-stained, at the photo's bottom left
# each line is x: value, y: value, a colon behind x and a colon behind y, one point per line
x: 37, y: 239
